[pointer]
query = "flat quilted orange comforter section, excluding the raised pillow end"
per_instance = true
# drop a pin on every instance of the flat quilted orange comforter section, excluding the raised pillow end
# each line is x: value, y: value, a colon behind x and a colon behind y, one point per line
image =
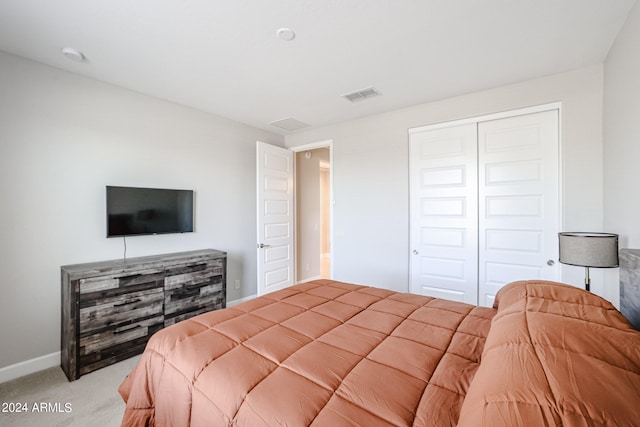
x: 323, y: 353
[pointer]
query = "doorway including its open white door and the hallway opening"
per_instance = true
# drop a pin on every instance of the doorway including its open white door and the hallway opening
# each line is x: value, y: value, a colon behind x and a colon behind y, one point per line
x: 286, y: 256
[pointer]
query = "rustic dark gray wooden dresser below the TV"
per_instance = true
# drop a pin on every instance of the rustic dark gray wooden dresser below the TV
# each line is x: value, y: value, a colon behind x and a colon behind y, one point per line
x: 111, y: 308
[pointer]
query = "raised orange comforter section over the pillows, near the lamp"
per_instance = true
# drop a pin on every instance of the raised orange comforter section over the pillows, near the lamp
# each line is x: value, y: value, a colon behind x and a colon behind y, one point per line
x: 556, y: 356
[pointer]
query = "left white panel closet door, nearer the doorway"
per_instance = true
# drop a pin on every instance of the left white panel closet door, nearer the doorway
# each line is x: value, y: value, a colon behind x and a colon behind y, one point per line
x: 444, y: 216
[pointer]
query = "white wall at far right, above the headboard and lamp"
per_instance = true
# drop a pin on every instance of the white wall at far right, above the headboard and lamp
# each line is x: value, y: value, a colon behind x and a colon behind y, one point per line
x: 622, y: 134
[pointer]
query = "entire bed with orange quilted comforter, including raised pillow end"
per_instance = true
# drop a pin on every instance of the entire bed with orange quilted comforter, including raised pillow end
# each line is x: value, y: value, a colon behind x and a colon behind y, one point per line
x: 327, y: 353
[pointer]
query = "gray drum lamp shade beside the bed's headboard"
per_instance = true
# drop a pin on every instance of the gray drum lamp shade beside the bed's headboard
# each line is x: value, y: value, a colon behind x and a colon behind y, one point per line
x: 589, y: 249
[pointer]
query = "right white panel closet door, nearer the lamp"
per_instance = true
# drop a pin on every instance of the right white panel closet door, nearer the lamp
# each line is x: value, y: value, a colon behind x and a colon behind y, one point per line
x: 518, y: 201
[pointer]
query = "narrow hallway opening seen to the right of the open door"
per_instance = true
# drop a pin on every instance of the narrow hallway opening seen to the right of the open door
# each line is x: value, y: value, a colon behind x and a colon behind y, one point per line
x: 313, y: 213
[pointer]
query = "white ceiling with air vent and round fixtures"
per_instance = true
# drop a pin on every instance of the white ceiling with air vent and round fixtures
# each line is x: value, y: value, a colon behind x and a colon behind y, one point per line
x: 223, y: 56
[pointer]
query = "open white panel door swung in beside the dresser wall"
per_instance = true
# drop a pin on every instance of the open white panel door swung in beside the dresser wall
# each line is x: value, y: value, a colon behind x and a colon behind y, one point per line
x: 275, y: 218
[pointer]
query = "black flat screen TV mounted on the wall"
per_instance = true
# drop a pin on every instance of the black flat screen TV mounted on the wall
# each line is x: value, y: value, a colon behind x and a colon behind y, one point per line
x: 133, y: 211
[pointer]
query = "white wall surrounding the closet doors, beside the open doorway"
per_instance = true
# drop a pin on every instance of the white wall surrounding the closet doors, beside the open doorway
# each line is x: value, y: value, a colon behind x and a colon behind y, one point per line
x: 370, y: 166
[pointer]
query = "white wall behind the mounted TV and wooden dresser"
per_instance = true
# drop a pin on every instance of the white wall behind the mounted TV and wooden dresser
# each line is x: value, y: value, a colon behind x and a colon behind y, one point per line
x: 62, y: 139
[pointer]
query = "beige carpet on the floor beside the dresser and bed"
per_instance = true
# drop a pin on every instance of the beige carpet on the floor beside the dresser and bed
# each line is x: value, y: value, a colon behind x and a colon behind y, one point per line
x: 51, y: 400
